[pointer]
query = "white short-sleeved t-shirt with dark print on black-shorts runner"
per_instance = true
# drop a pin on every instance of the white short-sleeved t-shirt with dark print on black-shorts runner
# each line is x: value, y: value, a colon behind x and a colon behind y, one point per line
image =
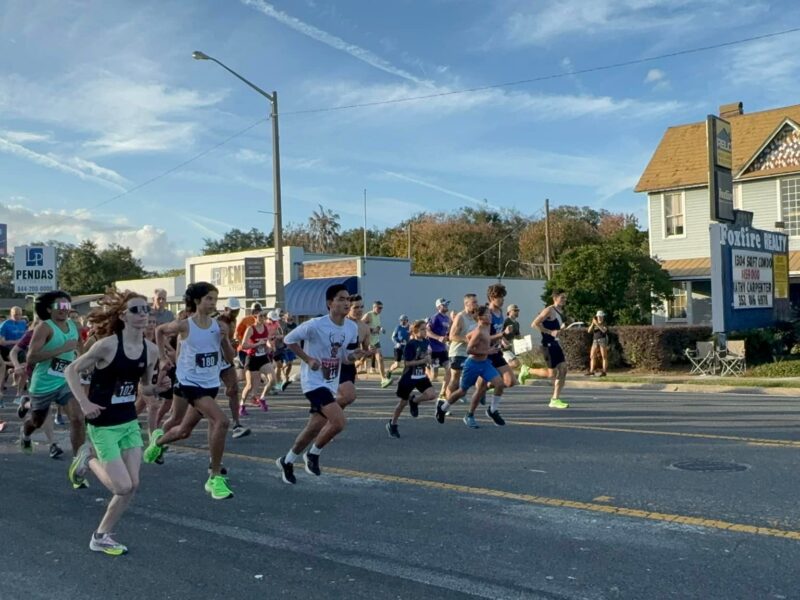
x: 327, y: 342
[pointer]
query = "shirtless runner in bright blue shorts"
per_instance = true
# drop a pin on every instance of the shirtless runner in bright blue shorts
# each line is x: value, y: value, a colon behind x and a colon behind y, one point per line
x: 478, y: 365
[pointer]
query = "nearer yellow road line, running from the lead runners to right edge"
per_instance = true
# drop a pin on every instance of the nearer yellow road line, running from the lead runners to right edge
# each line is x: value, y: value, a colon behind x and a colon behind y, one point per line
x: 539, y: 500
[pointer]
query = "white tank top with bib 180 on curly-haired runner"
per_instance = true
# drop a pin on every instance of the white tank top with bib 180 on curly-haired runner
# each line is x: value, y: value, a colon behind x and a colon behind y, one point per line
x: 199, y: 358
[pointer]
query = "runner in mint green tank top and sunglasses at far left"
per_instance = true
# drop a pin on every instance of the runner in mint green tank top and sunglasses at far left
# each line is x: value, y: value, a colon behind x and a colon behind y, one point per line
x: 53, y: 346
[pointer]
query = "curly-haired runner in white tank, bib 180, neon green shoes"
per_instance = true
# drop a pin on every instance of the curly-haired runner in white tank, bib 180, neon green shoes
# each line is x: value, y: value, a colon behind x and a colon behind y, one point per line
x: 202, y: 340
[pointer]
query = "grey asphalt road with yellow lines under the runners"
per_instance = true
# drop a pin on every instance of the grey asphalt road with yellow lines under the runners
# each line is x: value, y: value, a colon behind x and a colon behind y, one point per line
x: 627, y: 494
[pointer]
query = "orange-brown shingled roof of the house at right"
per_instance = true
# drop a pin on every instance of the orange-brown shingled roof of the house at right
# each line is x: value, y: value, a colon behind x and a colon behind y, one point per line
x: 681, y: 158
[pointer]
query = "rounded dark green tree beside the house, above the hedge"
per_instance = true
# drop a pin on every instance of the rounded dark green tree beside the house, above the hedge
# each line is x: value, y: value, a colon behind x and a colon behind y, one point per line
x: 613, y: 276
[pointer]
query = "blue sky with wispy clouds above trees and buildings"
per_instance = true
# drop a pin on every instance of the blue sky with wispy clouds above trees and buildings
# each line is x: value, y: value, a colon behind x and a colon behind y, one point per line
x: 110, y: 131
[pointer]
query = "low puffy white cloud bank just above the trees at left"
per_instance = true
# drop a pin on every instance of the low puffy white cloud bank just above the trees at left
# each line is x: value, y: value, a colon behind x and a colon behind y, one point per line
x: 148, y: 243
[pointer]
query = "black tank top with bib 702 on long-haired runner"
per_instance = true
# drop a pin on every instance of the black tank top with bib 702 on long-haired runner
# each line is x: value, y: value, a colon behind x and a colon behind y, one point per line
x: 114, y: 387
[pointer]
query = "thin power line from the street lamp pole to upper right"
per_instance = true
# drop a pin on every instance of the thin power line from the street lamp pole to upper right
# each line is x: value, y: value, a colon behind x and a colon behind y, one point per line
x: 550, y: 76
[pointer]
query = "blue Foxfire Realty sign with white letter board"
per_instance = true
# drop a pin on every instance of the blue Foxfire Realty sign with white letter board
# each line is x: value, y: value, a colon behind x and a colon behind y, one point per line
x: 748, y: 270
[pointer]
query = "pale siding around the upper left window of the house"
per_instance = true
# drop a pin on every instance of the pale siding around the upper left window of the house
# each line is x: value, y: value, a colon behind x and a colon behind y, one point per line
x: 695, y: 242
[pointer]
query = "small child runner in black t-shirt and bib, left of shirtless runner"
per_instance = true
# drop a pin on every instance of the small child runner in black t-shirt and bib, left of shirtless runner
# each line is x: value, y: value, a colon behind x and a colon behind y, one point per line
x: 417, y: 356
